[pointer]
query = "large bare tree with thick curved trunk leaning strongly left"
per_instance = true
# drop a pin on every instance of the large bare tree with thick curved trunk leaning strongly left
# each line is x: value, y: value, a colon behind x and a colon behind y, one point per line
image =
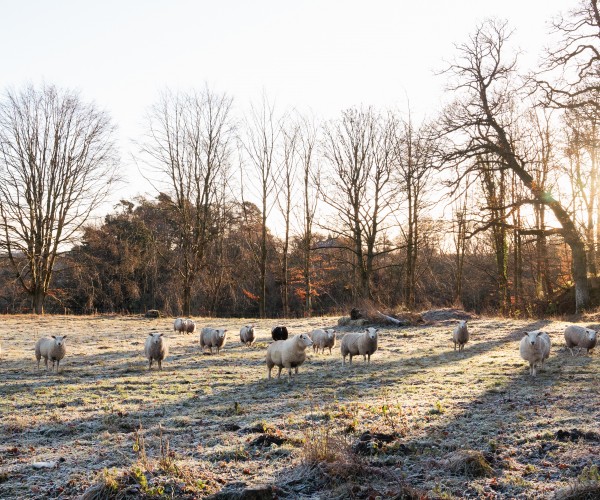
x: 479, y: 122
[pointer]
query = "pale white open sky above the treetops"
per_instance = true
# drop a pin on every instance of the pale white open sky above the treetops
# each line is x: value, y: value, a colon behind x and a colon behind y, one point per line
x: 324, y: 55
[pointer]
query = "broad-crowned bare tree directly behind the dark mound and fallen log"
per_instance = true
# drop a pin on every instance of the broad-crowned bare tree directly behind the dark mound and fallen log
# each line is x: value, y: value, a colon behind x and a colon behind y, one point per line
x: 360, y: 150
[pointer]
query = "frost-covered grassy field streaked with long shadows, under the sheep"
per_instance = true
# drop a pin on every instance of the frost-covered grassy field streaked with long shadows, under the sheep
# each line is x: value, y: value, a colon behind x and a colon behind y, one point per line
x: 421, y: 420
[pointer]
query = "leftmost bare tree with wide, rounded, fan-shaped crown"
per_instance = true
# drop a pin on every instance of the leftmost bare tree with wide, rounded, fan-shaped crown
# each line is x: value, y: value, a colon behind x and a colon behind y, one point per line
x: 57, y: 164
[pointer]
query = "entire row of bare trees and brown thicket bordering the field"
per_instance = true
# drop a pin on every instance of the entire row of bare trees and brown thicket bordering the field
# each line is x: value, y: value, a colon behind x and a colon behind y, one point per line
x: 493, y: 204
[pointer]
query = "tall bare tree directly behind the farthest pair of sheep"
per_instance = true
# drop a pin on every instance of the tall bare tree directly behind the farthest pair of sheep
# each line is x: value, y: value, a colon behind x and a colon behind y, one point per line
x: 189, y: 143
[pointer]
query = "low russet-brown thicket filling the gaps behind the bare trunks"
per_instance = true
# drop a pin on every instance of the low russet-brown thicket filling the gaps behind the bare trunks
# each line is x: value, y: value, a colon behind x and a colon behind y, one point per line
x: 127, y: 264
